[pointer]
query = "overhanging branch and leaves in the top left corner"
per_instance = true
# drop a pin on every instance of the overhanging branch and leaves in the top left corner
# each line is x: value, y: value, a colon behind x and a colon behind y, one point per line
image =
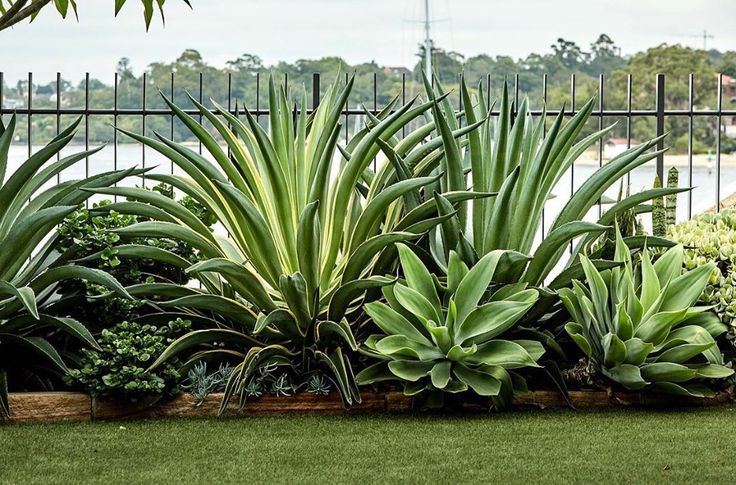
x: 14, y: 11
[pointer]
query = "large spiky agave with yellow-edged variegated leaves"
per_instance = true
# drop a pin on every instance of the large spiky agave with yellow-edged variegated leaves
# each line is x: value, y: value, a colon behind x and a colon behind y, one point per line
x: 302, y: 235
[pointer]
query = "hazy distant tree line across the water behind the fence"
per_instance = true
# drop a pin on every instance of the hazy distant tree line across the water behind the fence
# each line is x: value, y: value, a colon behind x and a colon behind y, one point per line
x: 564, y: 60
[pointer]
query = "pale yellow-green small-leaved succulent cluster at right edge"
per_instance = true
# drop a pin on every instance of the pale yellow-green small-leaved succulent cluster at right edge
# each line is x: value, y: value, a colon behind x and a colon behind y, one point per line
x: 712, y: 238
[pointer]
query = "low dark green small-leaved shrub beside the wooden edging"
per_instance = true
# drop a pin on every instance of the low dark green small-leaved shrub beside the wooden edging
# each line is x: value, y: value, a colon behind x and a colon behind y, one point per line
x: 118, y: 367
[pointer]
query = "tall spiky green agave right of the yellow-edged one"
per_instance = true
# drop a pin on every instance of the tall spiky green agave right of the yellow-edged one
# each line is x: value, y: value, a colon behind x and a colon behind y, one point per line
x: 520, y: 159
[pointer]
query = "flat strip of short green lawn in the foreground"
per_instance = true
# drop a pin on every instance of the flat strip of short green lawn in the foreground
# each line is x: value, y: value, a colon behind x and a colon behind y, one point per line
x: 617, y: 446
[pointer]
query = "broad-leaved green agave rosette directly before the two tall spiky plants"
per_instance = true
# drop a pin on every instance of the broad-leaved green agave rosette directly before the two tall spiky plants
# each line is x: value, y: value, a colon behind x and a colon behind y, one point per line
x: 448, y: 340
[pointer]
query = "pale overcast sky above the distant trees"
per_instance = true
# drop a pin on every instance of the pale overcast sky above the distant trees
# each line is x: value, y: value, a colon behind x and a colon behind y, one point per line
x: 357, y: 30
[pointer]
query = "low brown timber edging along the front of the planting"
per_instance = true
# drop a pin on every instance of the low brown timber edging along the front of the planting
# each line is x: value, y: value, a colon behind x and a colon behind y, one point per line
x: 71, y: 406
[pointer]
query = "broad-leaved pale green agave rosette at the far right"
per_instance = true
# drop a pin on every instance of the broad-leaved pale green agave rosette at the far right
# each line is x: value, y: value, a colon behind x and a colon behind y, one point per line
x: 638, y: 326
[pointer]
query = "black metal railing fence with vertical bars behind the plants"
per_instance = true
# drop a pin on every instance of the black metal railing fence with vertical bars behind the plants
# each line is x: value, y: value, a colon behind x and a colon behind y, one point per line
x: 658, y: 113
